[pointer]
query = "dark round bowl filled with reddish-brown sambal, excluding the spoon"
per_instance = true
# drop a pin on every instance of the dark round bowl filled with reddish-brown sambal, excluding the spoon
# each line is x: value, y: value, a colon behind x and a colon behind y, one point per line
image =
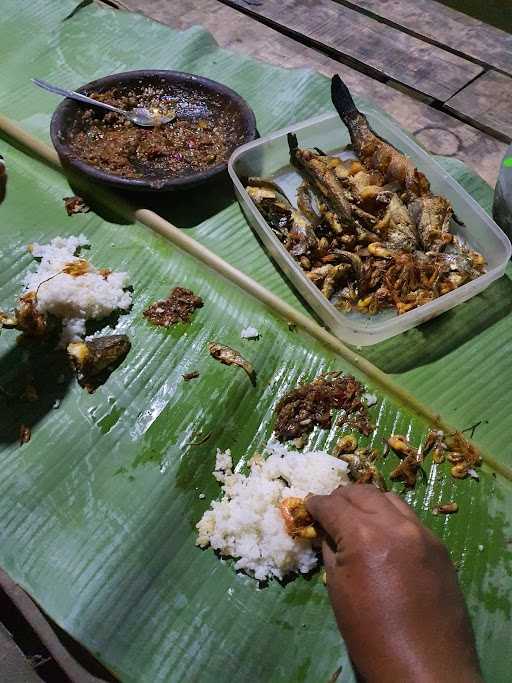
x: 208, y: 122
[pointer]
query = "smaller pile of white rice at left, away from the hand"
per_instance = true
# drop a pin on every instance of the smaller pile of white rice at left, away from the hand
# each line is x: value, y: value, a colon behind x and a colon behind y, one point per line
x: 74, y: 300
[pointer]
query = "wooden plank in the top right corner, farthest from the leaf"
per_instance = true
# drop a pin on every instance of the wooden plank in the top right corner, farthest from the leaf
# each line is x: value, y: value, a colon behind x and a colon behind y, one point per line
x: 444, y: 27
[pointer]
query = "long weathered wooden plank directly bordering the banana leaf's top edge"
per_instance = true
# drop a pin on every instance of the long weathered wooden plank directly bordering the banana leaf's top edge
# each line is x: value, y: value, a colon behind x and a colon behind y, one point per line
x: 437, y: 131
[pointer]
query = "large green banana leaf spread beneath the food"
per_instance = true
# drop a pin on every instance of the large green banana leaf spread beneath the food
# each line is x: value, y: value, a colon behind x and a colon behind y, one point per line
x: 98, y: 509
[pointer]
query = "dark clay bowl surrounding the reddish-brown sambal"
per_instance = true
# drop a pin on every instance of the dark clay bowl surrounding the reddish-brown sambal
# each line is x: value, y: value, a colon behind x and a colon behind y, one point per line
x: 67, y: 113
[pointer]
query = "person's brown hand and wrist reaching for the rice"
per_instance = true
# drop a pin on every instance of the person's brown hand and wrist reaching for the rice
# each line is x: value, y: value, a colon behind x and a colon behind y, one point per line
x: 394, y: 590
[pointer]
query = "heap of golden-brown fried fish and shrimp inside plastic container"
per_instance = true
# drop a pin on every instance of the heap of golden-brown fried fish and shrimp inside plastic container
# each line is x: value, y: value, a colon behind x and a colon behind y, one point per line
x: 367, y: 232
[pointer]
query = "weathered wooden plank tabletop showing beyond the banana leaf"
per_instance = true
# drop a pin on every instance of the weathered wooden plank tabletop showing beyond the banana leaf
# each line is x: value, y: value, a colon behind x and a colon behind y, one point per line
x: 445, y: 77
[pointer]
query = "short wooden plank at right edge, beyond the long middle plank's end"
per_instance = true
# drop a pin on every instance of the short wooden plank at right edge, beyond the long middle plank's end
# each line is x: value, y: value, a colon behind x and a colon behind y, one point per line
x: 488, y: 100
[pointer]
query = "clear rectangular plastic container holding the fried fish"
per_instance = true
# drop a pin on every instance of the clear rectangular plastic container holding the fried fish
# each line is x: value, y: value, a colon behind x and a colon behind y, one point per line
x: 269, y: 156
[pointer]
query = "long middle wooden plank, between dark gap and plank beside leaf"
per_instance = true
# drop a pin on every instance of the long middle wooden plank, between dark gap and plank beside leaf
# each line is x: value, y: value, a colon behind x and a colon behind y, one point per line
x: 370, y: 45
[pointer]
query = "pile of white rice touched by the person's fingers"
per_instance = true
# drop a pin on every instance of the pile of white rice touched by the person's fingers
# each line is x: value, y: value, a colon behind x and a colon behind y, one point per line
x: 246, y: 523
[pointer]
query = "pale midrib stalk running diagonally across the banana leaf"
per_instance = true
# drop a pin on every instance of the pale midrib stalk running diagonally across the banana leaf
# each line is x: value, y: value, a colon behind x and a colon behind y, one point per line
x: 178, y: 237
